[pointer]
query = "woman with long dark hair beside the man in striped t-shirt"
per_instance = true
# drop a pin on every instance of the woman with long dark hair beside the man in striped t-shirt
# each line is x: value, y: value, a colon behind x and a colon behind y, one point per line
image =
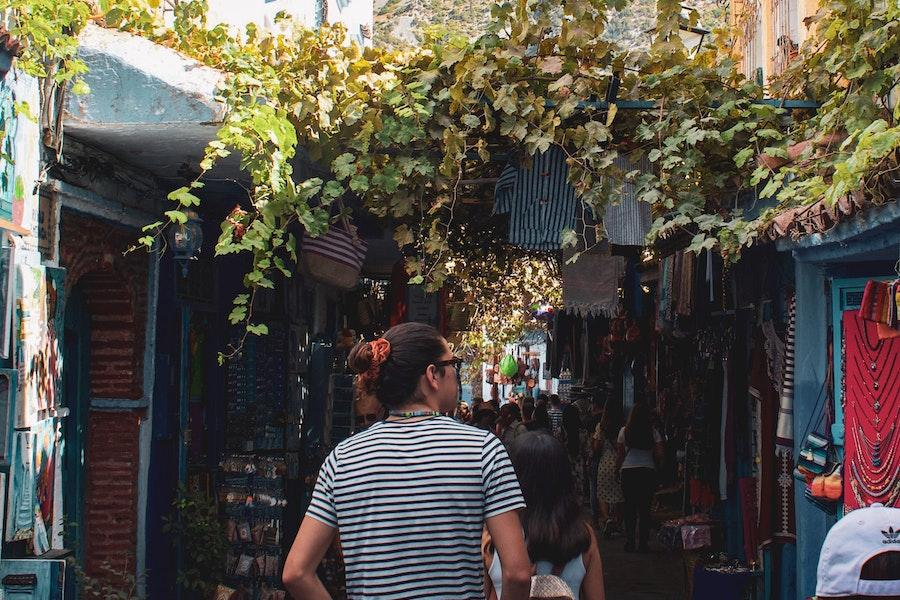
x: 560, y: 539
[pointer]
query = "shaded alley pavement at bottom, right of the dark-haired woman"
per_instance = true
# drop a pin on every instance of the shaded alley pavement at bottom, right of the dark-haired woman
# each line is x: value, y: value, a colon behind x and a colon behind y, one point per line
x: 629, y: 576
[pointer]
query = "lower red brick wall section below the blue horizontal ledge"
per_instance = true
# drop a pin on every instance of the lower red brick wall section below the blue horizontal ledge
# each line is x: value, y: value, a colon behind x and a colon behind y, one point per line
x: 111, y: 495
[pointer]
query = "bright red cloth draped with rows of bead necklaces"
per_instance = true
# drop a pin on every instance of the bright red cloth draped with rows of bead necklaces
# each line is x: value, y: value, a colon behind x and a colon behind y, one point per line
x: 871, y: 414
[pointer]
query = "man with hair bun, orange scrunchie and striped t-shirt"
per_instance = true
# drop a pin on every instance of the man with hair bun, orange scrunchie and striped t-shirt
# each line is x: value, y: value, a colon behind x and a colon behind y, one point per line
x: 411, y: 494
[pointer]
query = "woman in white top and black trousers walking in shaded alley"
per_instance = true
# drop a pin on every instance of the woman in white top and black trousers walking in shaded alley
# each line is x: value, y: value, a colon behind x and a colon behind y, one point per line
x: 640, y: 448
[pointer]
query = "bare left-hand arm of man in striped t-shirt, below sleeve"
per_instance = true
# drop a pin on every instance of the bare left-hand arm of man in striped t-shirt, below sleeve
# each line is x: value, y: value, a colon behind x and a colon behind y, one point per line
x: 310, y: 546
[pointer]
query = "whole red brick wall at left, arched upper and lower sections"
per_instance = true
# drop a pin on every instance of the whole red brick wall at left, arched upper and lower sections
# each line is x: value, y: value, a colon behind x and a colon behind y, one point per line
x: 115, y: 290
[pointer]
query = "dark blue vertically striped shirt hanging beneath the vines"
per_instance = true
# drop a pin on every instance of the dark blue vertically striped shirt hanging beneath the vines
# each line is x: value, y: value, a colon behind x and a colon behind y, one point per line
x: 539, y: 200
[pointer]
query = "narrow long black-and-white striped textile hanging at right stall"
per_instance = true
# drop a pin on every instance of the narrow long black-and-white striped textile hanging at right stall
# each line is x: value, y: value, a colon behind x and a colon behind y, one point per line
x: 784, y: 438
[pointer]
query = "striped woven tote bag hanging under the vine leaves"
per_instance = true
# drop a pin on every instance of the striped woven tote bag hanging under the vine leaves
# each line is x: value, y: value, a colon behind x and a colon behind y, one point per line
x: 336, y: 257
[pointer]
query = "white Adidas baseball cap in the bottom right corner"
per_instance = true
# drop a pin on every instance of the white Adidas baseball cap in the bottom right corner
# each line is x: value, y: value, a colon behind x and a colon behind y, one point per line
x: 857, y: 538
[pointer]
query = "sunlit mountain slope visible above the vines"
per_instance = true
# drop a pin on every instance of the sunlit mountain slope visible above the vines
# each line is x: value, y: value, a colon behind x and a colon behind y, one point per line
x: 401, y: 22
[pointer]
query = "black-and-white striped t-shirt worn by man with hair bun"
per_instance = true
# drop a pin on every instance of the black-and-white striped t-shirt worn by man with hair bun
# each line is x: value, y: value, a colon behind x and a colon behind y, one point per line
x: 410, y: 500
